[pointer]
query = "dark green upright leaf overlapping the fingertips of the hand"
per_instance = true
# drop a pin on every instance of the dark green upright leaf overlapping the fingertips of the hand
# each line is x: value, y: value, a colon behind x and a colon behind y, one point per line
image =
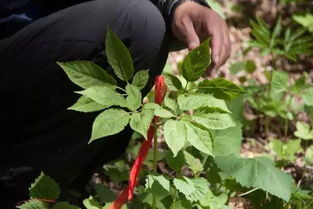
x: 196, y: 62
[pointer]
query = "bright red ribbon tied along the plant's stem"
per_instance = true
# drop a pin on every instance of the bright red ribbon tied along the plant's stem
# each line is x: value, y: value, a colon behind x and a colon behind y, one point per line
x: 128, y: 193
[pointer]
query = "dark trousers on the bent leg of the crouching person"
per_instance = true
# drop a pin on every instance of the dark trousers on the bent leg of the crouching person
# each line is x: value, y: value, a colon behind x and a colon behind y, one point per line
x: 38, y: 133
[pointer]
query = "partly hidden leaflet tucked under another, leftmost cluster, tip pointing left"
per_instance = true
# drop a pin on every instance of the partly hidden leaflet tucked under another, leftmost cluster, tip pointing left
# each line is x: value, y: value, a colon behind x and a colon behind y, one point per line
x: 85, y: 104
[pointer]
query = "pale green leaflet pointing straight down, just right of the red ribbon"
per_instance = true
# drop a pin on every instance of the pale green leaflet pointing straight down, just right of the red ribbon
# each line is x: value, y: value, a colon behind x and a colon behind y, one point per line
x: 175, y: 135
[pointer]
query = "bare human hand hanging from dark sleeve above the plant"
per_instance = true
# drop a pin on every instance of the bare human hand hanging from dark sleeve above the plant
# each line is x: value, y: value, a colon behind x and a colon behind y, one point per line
x: 193, y: 23
